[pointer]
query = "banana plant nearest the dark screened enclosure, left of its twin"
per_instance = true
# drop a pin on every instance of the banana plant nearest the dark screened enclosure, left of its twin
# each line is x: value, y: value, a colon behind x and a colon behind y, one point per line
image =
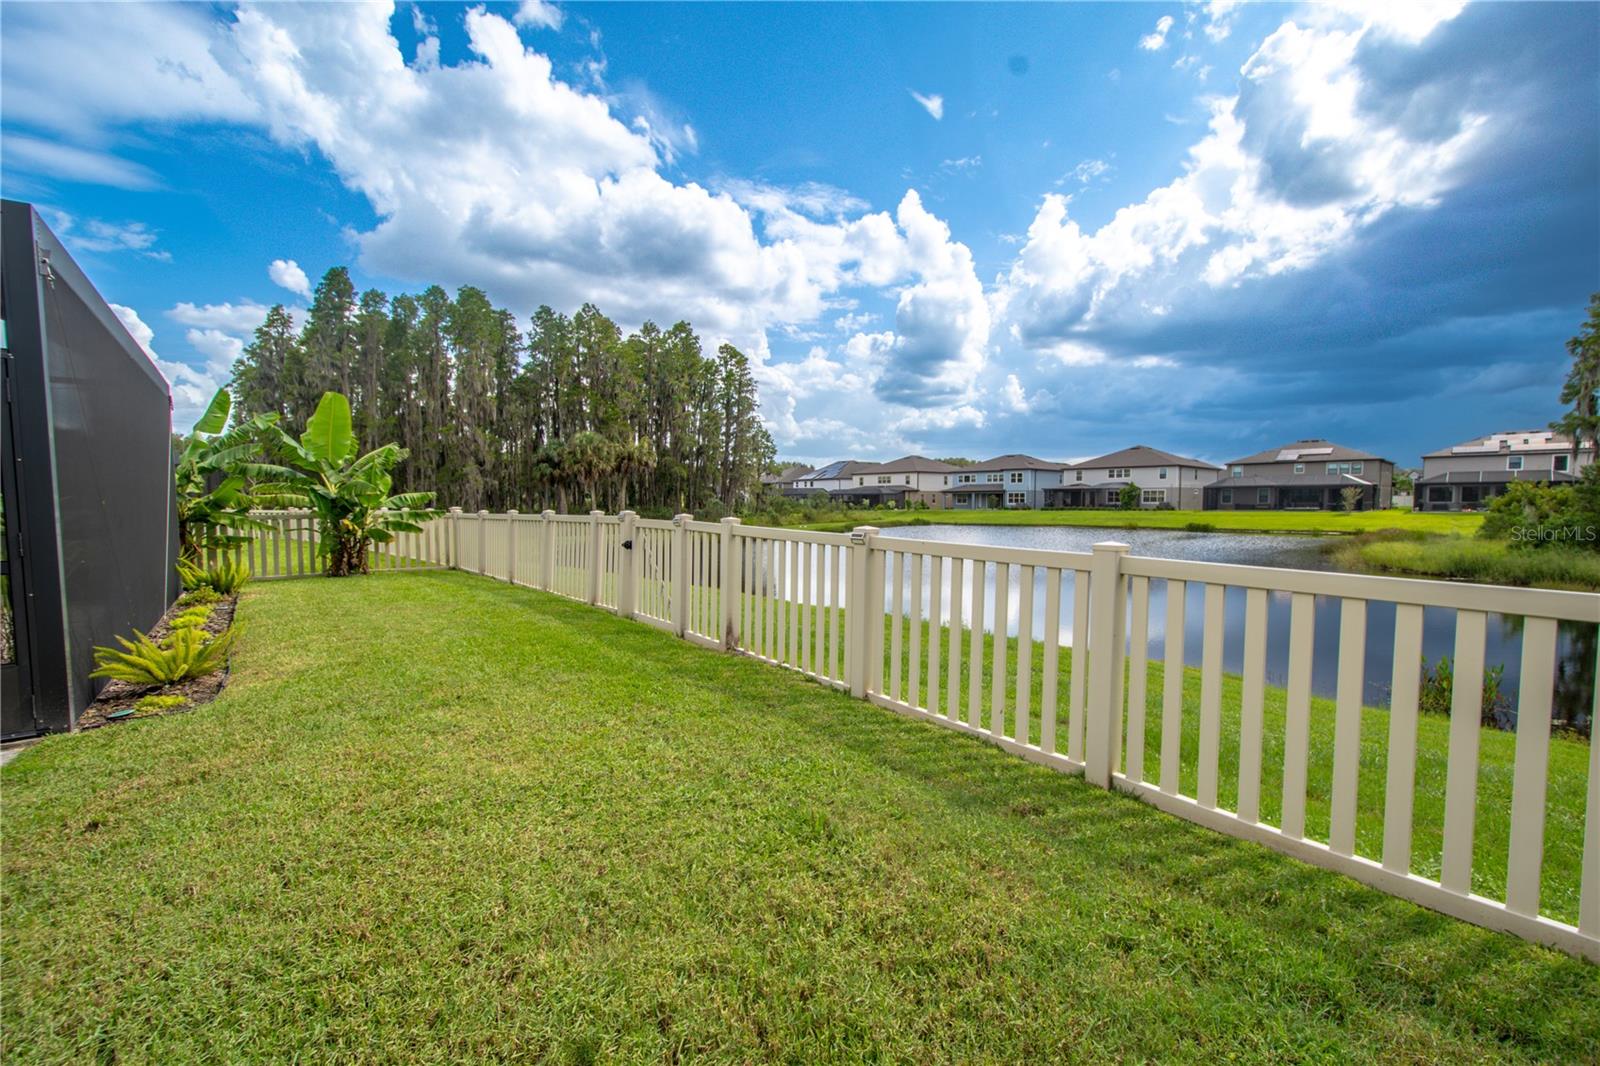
x: 210, y: 481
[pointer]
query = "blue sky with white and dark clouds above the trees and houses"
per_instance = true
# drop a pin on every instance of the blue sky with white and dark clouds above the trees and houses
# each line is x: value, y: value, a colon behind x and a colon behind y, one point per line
x: 1060, y: 230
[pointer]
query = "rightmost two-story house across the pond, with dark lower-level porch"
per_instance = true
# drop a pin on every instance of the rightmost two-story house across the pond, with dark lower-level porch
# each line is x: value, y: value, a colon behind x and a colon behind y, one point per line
x: 1468, y: 476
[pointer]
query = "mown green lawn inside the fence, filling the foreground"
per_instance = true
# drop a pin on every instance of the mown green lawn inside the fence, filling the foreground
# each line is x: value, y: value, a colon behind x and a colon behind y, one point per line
x: 439, y: 819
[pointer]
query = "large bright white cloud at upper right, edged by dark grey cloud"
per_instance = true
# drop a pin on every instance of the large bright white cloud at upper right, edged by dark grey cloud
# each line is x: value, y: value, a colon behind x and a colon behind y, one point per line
x: 1290, y: 169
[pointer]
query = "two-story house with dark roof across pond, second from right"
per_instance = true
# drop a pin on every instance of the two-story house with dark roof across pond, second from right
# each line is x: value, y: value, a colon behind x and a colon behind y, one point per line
x: 1303, y: 476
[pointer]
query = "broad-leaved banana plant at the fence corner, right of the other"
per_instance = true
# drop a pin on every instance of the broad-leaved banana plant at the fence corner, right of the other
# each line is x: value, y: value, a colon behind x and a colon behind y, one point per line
x: 350, y: 494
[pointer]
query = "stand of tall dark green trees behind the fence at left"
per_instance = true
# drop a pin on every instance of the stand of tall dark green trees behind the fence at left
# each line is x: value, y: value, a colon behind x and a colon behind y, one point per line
x: 566, y: 414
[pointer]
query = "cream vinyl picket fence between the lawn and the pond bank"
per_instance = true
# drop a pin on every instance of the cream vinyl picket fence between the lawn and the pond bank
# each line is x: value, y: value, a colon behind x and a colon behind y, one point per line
x: 930, y: 644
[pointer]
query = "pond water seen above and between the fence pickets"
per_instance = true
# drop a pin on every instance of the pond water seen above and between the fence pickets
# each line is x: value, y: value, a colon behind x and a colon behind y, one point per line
x: 1577, y: 644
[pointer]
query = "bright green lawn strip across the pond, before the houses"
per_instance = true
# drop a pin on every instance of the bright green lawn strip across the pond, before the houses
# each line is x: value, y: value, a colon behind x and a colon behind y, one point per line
x: 1222, y: 521
